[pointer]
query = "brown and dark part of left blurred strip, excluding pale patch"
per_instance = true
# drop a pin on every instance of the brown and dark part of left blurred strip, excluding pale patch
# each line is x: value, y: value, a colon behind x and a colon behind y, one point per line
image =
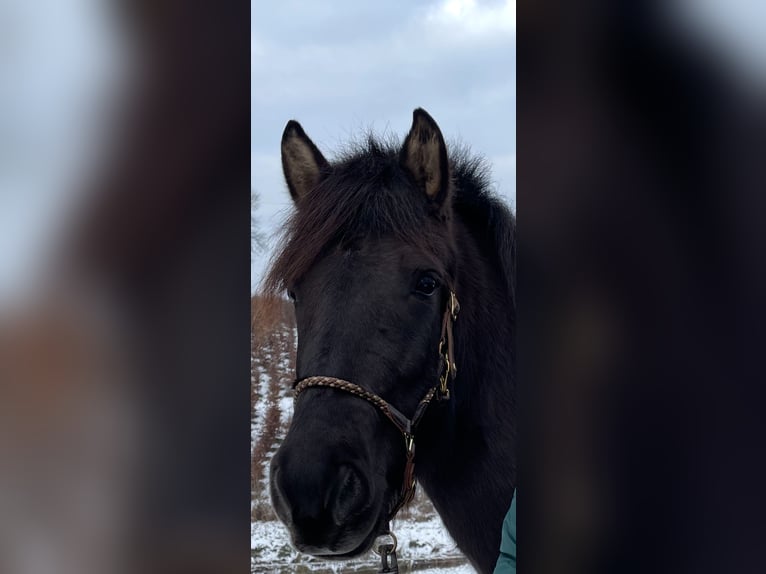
x: 124, y: 412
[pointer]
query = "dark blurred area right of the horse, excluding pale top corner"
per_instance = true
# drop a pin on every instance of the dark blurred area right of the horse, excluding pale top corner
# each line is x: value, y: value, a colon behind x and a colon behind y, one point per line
x: 641, y: 294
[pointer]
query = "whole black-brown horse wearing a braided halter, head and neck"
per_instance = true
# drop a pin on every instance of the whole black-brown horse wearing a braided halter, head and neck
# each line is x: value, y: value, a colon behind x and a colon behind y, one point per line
x: 383, y: 246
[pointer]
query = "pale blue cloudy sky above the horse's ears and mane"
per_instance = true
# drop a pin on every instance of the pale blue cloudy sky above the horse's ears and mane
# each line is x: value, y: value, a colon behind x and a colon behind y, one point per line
x: 341, y: 67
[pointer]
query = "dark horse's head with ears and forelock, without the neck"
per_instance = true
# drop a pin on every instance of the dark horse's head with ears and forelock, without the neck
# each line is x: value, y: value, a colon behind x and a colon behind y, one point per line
x: 369, y: 262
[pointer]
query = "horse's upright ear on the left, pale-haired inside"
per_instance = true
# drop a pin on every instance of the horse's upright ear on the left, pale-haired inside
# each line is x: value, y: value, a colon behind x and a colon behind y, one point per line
x: 302, y: 162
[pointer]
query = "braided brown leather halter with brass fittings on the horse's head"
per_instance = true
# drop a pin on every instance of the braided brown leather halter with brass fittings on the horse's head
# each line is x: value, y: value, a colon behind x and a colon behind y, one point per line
x: 406, y: 426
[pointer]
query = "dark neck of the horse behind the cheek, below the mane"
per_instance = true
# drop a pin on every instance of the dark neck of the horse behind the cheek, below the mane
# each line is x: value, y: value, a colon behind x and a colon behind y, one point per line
x: 467, y: 453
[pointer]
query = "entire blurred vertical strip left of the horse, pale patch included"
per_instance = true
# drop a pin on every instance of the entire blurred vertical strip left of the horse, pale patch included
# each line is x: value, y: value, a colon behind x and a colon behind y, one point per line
x: 124, y: 194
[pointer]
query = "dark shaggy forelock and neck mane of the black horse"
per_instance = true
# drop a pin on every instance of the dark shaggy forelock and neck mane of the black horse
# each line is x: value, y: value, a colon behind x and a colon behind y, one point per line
x: 367, y: 193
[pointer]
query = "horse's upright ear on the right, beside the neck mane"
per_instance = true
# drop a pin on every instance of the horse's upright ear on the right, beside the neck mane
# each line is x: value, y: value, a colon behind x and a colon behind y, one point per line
x: 424, y: 155
